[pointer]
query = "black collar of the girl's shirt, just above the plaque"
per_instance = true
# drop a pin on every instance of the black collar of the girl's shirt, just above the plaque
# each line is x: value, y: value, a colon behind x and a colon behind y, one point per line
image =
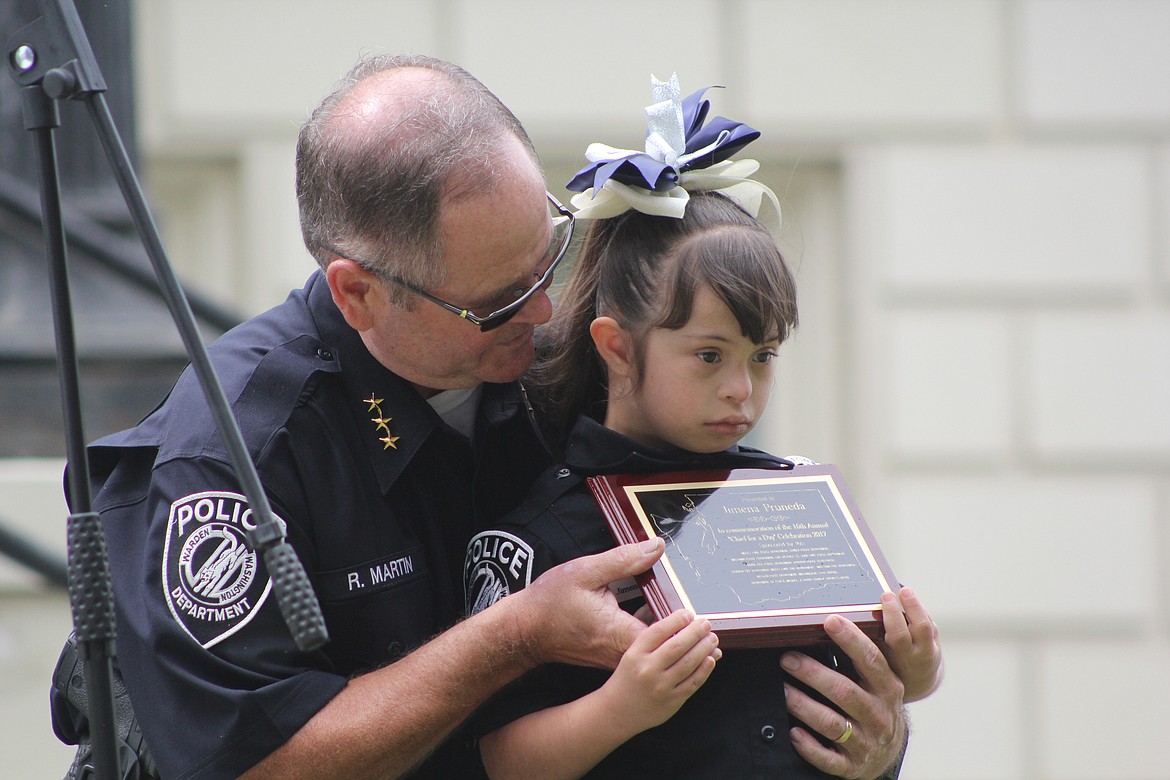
x: 594, y: 448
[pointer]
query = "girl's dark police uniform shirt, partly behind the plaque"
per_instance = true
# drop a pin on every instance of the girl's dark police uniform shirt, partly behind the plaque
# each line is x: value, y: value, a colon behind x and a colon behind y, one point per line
x: 737, y: 726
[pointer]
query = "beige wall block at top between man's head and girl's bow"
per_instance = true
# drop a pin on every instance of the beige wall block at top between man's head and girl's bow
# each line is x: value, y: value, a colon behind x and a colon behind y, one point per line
x: 583, y: 70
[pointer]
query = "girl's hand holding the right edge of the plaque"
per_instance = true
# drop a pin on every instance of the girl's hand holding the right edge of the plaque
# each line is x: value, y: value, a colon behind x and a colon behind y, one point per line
x: 912, y: 645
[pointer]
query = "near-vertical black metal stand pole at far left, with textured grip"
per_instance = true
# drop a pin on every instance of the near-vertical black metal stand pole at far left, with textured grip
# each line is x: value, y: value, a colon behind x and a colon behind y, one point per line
x: 92, y: 599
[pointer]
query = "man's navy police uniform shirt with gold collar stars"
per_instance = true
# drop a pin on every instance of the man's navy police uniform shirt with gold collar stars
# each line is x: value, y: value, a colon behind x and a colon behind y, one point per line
x: 378, y: 498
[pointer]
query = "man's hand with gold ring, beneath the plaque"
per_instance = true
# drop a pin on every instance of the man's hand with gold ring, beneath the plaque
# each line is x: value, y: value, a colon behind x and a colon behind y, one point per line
x: 871, y: 735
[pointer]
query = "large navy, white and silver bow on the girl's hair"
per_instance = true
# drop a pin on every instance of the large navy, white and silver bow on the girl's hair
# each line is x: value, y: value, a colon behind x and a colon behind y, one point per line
x: 683, y: 156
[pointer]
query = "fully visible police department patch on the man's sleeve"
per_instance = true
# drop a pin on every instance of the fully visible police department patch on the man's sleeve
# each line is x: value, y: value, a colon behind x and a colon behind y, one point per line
x: 212, y: 579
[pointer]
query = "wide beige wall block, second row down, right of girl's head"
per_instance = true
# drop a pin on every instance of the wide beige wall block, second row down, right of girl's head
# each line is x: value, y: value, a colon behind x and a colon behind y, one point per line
x: 1016, y: 223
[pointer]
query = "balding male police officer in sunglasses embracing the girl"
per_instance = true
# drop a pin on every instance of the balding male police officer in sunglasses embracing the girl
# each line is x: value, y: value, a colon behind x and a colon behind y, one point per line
x: 381, y: 408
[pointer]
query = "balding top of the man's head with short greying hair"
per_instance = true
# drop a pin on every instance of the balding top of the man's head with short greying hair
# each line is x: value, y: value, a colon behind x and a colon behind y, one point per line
x: 380, y: 156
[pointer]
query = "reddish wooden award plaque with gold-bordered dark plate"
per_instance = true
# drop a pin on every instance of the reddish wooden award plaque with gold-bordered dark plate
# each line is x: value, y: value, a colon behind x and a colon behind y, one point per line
x: 765, y: 555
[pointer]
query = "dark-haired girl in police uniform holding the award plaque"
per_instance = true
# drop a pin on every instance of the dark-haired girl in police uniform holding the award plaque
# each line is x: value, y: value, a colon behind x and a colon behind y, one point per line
x: 660, y: 358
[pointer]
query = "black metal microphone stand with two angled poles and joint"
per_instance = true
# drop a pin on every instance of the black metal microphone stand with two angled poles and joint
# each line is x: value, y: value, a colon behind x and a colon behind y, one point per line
x: 52, y: 60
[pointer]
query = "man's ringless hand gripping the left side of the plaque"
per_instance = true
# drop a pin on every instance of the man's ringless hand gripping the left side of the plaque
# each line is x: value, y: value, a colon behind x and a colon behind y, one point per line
x: 569, y: 615
